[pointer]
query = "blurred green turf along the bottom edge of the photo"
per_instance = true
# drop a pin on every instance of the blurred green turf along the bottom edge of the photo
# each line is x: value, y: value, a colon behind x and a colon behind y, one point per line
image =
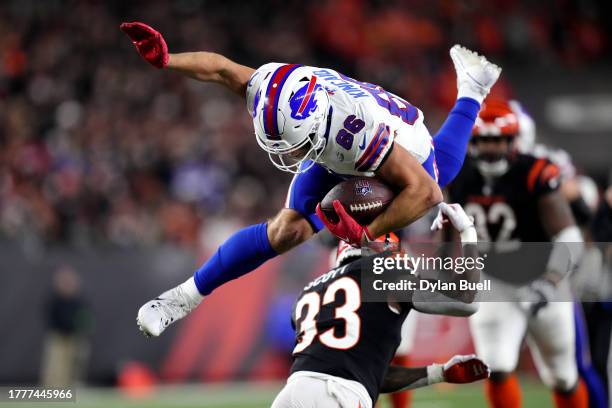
x: 261, y: 395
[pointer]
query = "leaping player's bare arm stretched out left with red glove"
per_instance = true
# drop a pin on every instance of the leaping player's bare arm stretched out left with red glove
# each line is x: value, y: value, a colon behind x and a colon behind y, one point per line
x: 203, y: 66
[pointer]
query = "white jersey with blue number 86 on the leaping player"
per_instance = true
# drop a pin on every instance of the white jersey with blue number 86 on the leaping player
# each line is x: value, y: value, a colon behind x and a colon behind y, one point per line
x: 363, y: 123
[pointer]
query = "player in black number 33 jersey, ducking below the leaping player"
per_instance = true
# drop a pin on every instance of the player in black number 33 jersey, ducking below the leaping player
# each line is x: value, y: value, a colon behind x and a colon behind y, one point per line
x: 344, y: 345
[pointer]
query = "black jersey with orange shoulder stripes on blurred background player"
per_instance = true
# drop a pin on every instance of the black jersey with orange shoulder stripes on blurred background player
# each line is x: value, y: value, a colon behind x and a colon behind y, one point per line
x: 505, y: 208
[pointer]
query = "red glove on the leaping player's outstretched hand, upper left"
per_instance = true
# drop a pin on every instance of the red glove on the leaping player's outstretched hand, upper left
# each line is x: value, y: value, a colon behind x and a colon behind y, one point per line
x: 149, y: 43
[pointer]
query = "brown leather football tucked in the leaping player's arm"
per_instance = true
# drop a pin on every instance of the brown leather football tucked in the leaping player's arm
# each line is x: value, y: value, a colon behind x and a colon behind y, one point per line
x: 364, y: 198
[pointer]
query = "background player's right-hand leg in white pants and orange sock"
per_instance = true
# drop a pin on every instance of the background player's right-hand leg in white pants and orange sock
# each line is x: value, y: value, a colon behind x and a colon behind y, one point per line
x: 552, y: 344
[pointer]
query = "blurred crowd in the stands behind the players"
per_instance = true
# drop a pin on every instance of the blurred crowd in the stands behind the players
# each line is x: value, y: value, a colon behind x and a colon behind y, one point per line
x: 97, y: 146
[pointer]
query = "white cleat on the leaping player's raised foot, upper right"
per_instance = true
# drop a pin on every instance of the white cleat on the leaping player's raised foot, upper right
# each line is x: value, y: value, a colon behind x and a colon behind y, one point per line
x: 475, y: 74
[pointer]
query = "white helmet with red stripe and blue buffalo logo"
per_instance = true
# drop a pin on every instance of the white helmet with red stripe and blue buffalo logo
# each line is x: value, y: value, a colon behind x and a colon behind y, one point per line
x: 290, y: 111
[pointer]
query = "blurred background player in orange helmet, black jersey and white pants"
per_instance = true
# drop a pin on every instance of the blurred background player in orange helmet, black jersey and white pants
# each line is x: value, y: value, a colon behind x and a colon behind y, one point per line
x: 514, y: 198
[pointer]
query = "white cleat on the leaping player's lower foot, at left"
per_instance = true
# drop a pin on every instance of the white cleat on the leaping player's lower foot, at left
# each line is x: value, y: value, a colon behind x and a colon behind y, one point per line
x: 169, y: 307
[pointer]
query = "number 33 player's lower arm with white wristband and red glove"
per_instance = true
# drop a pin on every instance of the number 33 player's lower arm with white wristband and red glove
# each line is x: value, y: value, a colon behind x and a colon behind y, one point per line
x: 457, y: 370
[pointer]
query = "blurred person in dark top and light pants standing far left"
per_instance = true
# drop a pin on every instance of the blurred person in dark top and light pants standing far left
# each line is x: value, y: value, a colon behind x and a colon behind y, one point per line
x: 69, y: 322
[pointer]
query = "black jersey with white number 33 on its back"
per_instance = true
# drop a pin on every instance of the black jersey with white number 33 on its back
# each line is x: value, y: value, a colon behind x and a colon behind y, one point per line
x: 337, y: 334
